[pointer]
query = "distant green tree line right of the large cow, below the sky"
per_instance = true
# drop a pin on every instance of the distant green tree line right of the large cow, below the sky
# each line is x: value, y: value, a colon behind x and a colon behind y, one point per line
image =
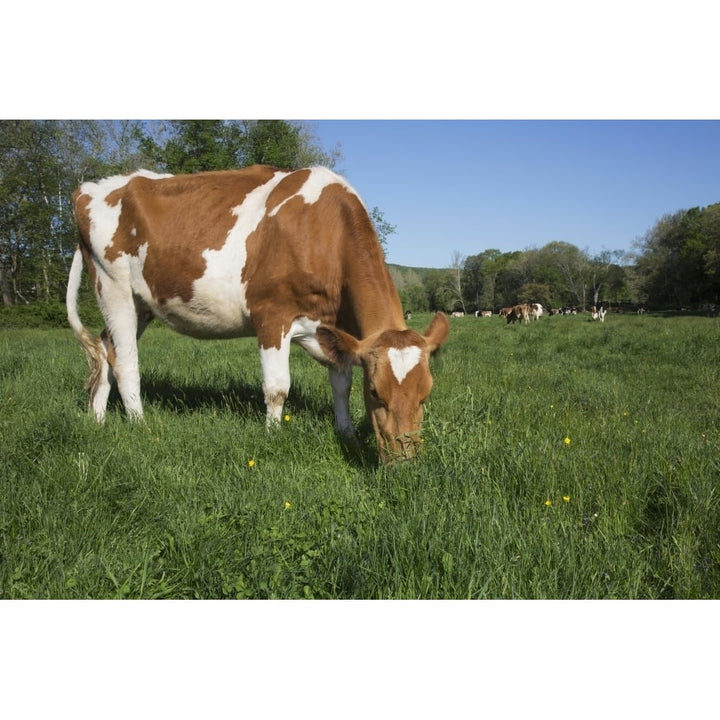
x: 675, y: 265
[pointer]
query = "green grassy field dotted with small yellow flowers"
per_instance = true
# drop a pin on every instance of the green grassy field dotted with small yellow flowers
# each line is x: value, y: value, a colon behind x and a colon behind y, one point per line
x: 562, y: 459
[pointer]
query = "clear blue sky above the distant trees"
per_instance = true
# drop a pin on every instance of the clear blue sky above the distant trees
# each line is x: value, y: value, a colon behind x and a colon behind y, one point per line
x: 469, y: 185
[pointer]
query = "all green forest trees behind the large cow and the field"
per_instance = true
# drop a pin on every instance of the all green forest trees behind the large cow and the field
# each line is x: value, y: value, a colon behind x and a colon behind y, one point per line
x: 674, y: 266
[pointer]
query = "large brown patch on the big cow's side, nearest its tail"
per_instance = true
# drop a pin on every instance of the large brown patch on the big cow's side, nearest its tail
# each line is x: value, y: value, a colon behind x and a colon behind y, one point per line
x: 171, y: 215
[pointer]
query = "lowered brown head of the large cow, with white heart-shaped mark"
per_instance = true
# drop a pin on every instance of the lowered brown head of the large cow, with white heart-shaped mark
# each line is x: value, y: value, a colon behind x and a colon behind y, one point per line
x: 397, y: 379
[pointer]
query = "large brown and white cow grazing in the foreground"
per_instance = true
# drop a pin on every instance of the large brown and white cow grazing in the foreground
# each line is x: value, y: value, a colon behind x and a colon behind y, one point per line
x: 285, y: 256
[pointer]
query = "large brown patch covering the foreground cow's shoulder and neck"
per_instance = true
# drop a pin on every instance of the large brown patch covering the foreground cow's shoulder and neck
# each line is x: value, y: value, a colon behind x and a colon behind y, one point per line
x: 321, y: 260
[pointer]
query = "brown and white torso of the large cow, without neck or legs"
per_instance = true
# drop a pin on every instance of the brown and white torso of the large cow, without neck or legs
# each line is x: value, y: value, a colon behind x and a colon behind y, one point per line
x: 209, y: 252
